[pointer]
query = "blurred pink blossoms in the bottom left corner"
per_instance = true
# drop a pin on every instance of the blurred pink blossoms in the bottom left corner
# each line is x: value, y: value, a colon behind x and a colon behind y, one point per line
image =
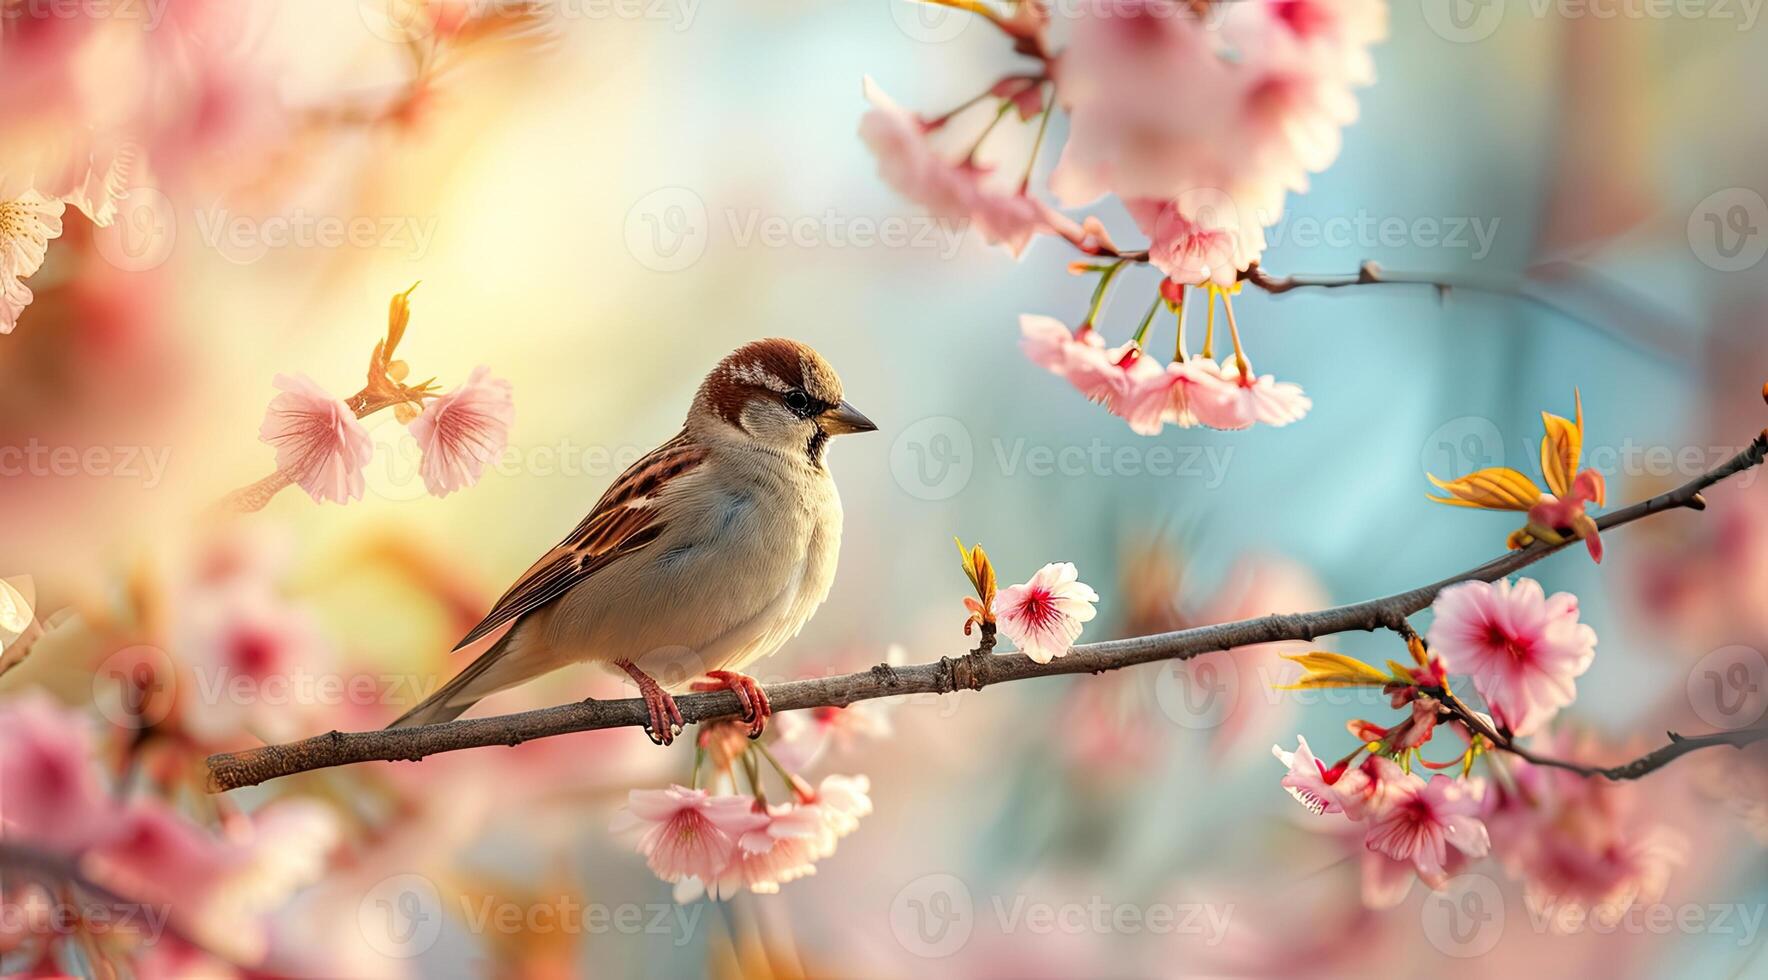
x: 210, y: 889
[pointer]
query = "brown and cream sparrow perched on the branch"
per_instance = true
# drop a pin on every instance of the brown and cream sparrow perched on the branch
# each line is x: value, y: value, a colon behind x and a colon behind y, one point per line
x: 705, y: 556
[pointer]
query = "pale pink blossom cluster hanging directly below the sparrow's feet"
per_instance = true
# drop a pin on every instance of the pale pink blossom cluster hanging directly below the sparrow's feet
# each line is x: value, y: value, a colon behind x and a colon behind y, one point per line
x: 724, y: 845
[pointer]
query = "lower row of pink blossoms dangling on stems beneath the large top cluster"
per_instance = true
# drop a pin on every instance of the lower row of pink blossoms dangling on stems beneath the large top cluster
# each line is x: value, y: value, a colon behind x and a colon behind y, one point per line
x: 1134, y: 387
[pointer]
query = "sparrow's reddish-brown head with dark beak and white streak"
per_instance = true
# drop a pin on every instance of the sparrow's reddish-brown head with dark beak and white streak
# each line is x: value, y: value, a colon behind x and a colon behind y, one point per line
x: 779, y: 394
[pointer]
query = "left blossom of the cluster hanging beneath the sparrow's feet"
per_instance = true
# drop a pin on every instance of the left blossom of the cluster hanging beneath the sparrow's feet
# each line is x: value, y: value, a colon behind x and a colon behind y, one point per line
x: 687, y: 832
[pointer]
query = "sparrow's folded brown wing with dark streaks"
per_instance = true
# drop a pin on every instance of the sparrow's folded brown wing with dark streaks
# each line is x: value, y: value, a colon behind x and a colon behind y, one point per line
x: 621, y: 523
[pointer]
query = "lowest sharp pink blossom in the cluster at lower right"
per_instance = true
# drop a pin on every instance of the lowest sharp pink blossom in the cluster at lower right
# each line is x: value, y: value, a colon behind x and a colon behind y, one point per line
x: 1421, y: 820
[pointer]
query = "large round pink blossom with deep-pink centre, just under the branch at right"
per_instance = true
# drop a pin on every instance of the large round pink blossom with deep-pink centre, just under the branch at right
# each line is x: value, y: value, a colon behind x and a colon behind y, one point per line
x: 1521, y: 648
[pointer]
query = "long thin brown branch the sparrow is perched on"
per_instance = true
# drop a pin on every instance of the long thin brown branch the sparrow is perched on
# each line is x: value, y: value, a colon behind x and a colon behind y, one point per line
x: 252, y: 767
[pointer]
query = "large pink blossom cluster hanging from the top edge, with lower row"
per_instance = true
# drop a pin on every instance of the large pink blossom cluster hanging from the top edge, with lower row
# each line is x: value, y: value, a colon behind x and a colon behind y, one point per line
x: 1200, y: 119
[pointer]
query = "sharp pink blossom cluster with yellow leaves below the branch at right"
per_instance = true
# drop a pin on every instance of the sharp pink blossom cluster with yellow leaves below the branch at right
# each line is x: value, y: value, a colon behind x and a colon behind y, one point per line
x: 1523, y: 652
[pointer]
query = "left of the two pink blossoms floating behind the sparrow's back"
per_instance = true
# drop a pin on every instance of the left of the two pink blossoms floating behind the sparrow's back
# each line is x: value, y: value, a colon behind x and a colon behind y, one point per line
x: 319, y: 443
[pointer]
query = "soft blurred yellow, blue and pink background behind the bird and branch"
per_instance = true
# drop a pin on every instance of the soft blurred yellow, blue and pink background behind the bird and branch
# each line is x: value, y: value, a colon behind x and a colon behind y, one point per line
x: 604, y: 201
